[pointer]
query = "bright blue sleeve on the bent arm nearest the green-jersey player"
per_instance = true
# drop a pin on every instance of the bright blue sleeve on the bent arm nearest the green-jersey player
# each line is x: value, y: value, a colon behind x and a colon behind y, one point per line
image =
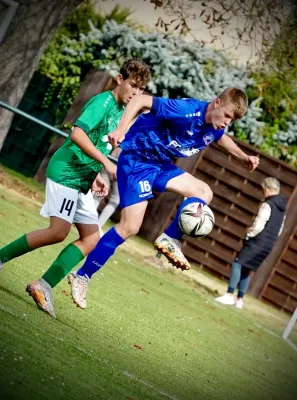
x: 174, y: 108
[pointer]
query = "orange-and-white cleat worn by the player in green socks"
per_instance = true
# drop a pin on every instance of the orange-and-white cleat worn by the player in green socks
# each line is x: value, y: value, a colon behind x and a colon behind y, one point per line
x: 41, y: 293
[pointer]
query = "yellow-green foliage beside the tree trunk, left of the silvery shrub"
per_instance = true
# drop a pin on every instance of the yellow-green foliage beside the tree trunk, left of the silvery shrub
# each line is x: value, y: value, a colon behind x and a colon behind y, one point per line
x: 67, y: 71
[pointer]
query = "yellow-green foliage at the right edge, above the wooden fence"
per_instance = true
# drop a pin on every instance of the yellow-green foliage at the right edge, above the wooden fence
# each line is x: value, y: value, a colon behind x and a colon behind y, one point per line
x: 276, y: 87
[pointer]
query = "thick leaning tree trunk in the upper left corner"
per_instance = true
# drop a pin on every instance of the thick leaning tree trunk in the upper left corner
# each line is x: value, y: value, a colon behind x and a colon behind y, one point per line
x: 32, y: 27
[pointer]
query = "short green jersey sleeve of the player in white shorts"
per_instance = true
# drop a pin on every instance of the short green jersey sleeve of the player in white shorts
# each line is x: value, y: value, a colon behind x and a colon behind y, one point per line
x: 92, y: 114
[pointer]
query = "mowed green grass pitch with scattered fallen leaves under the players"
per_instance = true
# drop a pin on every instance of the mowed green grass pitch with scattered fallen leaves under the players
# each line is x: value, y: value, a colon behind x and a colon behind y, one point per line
x: 147, y: 333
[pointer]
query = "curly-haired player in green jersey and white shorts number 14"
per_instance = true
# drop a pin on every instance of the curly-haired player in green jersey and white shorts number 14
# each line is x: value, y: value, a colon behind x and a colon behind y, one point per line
x: 73, y: 170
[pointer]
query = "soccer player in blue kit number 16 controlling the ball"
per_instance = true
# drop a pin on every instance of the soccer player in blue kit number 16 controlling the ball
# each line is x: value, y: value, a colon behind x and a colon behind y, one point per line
x: 170, y: 129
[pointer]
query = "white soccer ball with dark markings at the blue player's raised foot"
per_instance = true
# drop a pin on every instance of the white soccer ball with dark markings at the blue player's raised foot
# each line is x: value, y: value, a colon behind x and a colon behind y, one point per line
x: 196, y: 220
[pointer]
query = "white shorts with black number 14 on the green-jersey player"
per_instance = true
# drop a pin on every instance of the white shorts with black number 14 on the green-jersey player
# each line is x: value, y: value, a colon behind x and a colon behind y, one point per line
x: 69, y: 204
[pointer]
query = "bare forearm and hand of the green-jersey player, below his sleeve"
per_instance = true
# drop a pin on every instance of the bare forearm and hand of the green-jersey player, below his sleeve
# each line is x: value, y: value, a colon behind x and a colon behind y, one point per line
x: 81, y: 139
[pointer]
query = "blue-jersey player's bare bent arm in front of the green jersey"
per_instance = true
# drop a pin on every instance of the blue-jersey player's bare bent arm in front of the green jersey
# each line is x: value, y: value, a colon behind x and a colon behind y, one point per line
x: 136, y: 105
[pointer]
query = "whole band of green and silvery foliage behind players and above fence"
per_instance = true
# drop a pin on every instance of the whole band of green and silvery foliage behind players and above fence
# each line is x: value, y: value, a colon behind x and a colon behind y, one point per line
x: 179, y: 69
